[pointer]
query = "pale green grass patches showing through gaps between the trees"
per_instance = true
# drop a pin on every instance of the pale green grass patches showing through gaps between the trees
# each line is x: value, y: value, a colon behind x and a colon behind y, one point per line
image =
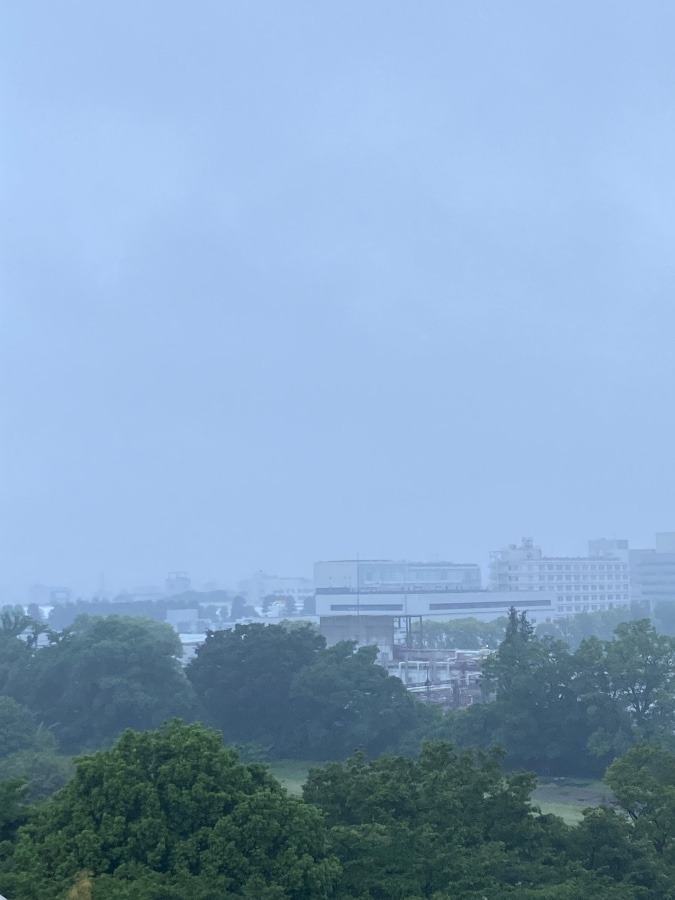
x: 564, y: 797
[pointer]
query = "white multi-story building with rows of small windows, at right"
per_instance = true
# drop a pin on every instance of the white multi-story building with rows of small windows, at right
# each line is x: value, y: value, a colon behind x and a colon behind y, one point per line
x: 598, y: 581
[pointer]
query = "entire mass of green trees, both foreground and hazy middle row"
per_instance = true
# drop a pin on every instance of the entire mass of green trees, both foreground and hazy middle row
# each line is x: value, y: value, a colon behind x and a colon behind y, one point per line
x: 172, y: 813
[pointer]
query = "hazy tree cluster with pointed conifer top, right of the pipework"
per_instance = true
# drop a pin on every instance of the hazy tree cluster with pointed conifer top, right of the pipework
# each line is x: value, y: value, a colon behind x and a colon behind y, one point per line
x: 564, y: 712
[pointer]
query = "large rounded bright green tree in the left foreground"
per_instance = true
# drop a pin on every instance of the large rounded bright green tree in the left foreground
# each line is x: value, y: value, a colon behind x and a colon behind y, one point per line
x: 171, y: 810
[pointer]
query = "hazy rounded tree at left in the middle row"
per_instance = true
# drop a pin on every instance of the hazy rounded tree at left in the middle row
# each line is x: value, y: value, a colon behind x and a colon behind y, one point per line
x: 104, y: 675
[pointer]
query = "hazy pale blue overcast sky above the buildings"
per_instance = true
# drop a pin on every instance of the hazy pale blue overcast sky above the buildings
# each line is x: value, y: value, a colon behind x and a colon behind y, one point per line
x: 291, y: 281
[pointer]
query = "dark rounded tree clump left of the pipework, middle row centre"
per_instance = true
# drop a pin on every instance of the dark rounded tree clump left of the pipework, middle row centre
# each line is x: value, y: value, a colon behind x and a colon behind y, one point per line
x: 283, y: 689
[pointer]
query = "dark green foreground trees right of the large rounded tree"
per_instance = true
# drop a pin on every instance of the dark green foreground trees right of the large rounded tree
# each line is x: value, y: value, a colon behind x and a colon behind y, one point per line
x: 450, y: 825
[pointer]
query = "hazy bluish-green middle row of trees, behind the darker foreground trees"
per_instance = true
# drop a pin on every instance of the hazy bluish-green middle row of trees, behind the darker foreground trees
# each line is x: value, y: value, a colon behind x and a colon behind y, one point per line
x: 279, y: 692
